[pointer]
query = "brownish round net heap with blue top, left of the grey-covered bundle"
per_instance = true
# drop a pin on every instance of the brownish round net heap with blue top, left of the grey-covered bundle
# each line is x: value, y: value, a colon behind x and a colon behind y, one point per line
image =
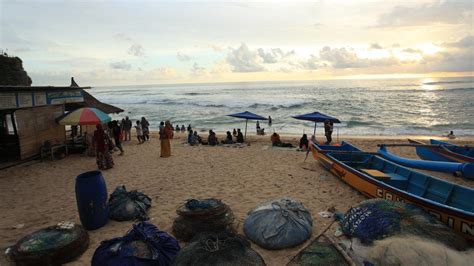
x: 196, y: 216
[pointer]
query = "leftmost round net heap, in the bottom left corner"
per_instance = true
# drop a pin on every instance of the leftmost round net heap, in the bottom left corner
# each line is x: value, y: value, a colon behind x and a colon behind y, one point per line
x: 53, y: 245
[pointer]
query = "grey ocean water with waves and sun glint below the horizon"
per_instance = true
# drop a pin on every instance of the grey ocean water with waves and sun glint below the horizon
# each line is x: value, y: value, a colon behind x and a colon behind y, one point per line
x: 365, y: 107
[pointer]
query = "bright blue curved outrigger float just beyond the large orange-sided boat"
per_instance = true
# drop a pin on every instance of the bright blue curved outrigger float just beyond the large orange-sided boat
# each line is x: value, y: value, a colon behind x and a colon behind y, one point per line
x: 455, y: 168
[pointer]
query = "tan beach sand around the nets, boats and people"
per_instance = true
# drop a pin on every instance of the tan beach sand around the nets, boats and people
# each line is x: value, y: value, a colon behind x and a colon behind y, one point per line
x: 38, y: 194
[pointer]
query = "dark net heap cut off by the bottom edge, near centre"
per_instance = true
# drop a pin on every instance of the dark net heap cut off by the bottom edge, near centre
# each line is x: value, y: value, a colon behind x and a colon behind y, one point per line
x: 224, y: 249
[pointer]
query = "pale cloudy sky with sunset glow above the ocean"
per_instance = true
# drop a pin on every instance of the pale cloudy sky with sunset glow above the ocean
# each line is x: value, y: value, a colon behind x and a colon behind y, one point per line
x: 159, y: 42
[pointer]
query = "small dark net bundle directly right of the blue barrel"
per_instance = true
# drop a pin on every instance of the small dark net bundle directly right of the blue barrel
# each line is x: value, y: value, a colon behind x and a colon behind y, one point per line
x: 126, y: 206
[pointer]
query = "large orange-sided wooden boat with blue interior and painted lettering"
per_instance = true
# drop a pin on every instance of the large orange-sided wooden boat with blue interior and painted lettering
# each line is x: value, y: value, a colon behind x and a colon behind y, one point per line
x: 376, y: 177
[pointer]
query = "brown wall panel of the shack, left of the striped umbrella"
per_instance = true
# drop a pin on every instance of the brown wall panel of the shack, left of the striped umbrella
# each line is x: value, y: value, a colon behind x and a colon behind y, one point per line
x: 36, y: 125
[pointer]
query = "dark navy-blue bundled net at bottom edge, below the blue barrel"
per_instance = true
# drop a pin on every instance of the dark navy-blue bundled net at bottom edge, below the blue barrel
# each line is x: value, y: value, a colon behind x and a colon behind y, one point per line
x: 144, y: 244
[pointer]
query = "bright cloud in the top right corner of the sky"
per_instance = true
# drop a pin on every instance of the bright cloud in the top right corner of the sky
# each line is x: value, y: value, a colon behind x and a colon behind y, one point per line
x: 442, y: 12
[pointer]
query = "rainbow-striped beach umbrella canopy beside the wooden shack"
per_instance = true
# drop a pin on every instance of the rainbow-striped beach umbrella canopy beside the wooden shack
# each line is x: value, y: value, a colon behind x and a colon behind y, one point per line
x: 85, y: 116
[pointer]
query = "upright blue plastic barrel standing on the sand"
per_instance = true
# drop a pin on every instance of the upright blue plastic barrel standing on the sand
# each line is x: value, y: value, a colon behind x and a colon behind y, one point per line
x: 91, y: 197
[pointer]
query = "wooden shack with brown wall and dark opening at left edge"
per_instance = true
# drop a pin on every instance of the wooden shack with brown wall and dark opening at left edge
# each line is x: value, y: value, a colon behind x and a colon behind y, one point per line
x: 28, y: 118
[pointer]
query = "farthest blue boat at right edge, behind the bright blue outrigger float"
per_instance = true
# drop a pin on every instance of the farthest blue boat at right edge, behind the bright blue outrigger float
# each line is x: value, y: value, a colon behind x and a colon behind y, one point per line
x: 438, y: 151
